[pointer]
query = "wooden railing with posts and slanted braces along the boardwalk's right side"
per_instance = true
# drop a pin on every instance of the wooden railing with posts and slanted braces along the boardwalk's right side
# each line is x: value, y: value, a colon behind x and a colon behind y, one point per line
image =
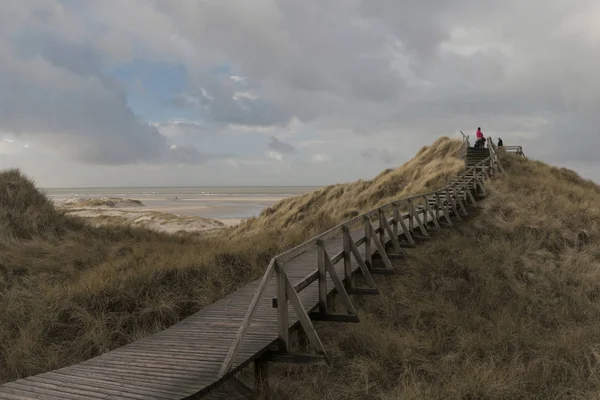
x: 407, y: 214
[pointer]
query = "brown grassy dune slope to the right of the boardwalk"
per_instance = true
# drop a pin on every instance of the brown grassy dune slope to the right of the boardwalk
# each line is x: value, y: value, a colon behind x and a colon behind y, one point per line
x: 503, y: 306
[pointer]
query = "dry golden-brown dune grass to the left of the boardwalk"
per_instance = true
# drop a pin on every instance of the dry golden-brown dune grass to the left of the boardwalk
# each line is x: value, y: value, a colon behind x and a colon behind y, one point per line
x: 70, y: 291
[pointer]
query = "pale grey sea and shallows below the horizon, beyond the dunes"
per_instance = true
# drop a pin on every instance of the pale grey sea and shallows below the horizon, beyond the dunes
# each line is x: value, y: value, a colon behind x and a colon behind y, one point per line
x: 231, y: 202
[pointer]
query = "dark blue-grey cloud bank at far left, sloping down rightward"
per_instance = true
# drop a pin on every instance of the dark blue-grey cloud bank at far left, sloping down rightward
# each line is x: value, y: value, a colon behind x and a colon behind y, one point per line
x: 87, y: 115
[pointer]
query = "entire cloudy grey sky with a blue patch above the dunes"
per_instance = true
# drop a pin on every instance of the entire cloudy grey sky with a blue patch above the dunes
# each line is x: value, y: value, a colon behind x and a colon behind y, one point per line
x: 286, y: 92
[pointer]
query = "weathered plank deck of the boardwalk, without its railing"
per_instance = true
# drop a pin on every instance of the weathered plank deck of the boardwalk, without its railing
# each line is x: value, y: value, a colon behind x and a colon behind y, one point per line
x: 184, y: 359
